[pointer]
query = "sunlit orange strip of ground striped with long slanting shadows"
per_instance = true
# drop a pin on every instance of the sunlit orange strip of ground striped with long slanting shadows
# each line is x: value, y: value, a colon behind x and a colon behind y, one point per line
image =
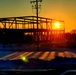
x: 47, y: 55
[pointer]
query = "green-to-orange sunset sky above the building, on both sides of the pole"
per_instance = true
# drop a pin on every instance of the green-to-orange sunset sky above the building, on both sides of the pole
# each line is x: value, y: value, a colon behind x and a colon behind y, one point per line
x: 55, y: 9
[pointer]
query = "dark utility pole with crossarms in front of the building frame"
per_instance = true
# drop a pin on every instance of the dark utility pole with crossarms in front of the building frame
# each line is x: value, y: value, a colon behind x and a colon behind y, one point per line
x: 35, y: 5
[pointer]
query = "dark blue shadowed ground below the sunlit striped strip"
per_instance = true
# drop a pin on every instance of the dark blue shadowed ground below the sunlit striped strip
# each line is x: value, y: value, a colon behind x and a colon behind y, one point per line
x: 34, y: 66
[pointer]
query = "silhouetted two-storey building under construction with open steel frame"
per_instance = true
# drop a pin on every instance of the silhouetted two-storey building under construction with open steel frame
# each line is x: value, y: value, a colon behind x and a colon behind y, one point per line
x: 24, y: 28
